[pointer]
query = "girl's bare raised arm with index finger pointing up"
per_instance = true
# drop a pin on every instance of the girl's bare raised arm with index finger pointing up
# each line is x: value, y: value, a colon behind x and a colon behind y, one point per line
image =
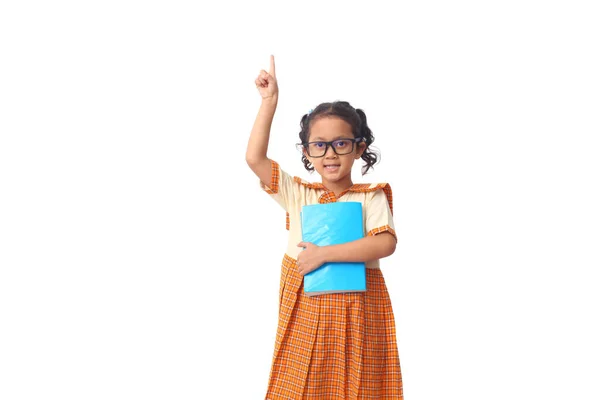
x: 256, y: 154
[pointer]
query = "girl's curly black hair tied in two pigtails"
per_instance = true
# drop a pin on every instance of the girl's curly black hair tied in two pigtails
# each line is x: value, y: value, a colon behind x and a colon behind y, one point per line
x: 355, y: 117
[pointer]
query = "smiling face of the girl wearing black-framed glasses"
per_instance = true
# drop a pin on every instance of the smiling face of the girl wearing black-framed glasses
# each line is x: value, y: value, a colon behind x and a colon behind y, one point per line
x: 333, y: 167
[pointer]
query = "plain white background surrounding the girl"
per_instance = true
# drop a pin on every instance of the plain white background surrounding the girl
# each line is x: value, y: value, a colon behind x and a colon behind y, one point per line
x: 140, y: 260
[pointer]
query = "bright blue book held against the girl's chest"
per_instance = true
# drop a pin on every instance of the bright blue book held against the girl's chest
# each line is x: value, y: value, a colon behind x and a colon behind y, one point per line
x: 328, y: 224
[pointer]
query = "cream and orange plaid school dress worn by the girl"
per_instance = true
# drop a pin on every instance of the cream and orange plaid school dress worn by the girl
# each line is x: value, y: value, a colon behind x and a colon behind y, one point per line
x: 340, y: 345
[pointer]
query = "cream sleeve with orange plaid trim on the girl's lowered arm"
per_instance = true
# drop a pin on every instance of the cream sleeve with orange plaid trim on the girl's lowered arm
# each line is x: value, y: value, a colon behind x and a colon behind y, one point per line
x: 379, y: 212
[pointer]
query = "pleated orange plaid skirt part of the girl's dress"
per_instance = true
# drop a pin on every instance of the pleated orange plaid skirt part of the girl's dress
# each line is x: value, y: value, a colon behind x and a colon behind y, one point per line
x: 334, y: 346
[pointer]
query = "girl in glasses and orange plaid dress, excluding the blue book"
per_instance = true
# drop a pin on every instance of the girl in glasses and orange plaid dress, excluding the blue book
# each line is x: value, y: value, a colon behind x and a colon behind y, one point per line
x: 340, y: 345
